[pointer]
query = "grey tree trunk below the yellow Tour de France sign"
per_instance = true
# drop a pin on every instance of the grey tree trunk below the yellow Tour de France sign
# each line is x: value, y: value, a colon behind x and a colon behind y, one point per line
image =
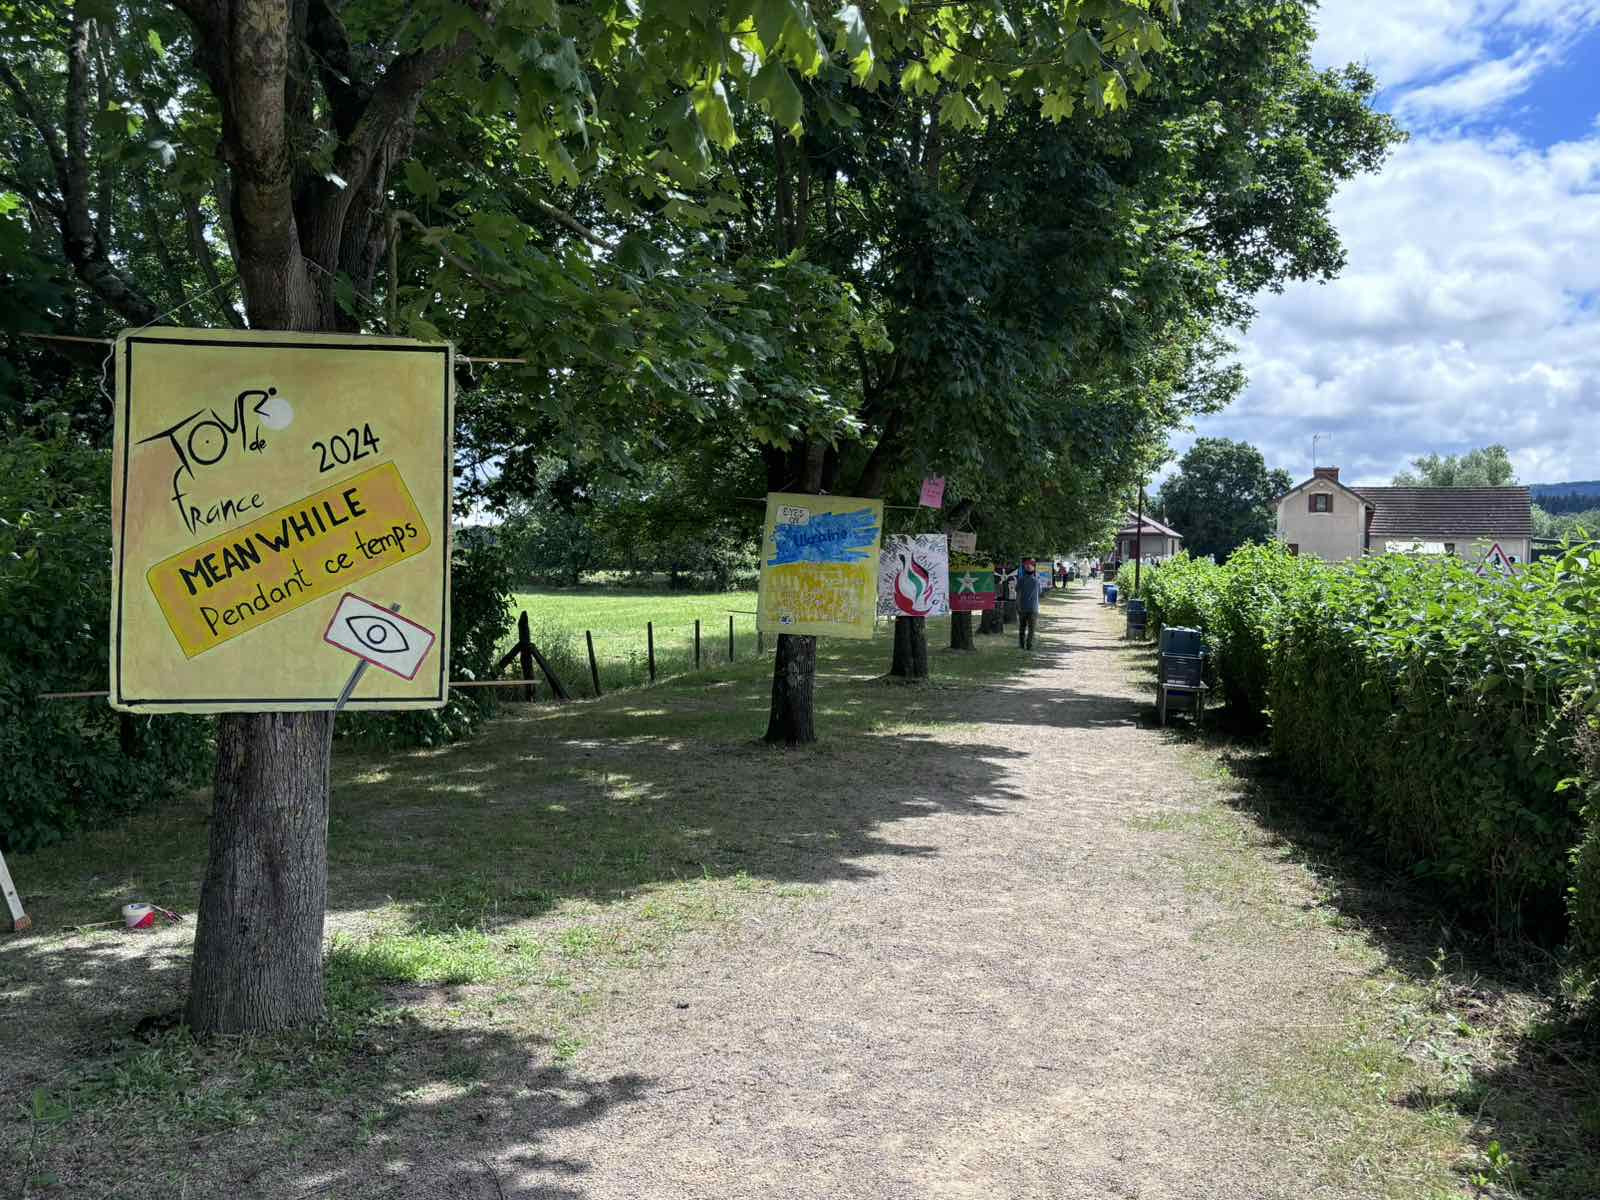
x: 258, y: 934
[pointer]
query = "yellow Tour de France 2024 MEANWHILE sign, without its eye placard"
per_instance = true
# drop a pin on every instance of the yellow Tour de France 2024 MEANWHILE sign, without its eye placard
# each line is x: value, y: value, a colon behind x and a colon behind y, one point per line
x: 257, y: 476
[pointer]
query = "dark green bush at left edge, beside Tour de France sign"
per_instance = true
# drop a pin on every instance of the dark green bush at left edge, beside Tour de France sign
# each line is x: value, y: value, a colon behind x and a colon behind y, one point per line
x: 70, y: 764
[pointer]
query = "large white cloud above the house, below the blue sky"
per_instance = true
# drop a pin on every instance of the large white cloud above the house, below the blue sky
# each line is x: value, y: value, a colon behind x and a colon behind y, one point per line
x: 1470, y: 314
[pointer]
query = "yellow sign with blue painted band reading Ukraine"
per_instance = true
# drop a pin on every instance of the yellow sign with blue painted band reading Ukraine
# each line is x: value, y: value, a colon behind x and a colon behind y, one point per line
x: 820, y: 558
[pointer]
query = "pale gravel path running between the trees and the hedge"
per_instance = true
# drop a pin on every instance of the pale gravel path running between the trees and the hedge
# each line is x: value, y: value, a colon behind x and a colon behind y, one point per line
x: 1039, y: 1002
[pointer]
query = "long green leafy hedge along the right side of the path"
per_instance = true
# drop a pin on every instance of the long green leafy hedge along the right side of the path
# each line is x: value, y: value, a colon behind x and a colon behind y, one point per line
x: 1447, y: 719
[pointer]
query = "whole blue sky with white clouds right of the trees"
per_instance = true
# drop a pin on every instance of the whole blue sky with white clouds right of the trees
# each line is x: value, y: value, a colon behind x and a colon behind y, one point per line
x: 1470, y: 310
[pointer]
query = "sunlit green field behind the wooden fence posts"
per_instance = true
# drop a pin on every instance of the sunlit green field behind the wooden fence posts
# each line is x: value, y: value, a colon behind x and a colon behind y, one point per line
x: 618, y: 617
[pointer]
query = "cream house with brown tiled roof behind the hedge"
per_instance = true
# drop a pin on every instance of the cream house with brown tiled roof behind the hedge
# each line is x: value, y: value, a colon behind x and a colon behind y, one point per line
x: 1332, y: 521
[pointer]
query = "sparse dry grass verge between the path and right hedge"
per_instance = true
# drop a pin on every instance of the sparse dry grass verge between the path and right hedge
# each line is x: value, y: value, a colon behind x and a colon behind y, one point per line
x: 1431, y: 1073
